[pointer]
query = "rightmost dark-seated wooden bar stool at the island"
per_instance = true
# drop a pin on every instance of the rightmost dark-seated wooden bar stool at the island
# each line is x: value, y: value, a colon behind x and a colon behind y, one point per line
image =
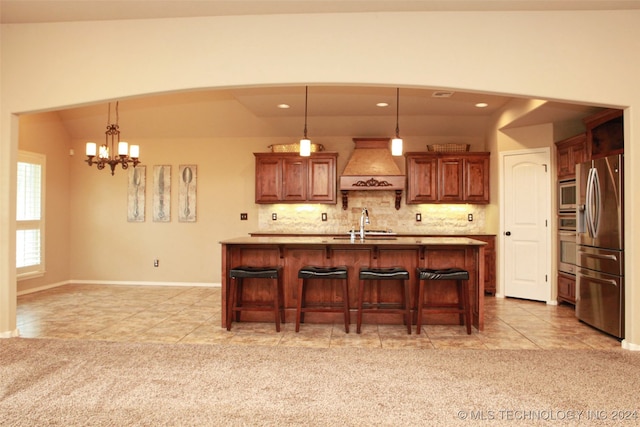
x: 463, y: 306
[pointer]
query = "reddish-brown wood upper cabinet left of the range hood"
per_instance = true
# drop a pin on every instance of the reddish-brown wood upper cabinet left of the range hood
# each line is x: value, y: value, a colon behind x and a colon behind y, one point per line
x: 290, y: 178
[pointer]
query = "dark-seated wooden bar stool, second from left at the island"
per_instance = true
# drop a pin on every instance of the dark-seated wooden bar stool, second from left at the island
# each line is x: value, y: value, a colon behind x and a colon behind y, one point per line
x: 322, y: 273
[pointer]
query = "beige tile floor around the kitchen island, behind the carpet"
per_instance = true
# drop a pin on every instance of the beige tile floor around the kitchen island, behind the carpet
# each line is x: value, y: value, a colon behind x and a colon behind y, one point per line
x: 192, y: 315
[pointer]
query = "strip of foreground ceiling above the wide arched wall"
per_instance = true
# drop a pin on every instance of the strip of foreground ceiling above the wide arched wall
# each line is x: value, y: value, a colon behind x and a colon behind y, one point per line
x: 31, y: 11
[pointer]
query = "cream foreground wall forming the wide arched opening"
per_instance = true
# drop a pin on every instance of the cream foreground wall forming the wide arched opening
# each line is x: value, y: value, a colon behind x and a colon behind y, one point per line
x: 556, y: 55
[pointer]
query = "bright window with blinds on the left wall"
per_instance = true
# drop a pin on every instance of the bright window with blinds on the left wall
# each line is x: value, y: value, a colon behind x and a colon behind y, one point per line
x: 30, y: 215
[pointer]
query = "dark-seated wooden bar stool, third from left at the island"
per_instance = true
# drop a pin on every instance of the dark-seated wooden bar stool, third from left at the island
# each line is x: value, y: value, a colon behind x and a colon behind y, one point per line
x: 385, y: 274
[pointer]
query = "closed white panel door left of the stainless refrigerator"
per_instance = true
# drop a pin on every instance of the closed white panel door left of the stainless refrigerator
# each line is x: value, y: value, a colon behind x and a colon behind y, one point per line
x: 526, y: 235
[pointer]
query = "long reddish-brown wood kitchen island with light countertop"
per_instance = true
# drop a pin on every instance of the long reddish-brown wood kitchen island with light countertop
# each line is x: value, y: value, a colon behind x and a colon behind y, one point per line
x: 292, y: 253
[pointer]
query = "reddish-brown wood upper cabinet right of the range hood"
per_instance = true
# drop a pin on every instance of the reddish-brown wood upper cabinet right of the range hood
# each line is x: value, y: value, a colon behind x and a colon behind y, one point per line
x: 447, y: 177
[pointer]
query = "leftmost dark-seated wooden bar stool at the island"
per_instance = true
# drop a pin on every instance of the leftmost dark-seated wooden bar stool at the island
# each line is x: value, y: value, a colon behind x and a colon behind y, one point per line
x: 235, y: 303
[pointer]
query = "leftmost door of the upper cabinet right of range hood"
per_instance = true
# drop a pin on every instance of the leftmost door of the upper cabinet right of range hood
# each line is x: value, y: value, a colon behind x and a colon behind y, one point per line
x: 422, y: 178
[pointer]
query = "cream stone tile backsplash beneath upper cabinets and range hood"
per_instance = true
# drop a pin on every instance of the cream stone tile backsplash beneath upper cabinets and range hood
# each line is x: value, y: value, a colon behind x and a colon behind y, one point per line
x: 436, y: 218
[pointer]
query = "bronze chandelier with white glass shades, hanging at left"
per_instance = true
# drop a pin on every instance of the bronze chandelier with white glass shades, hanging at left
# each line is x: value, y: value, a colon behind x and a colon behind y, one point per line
x: 106, y: 154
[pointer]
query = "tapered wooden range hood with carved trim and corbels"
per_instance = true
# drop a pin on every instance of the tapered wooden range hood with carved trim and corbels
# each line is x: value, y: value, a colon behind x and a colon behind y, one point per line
x: 371, y: 167
